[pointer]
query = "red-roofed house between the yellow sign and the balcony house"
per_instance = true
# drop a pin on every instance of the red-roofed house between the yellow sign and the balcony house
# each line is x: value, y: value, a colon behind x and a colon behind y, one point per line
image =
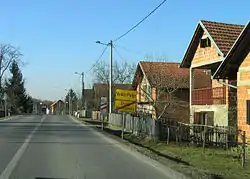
x: 163, y: 90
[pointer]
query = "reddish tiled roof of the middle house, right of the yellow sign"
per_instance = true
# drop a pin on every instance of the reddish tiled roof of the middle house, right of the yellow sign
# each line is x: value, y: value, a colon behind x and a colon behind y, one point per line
x: 169, y: 74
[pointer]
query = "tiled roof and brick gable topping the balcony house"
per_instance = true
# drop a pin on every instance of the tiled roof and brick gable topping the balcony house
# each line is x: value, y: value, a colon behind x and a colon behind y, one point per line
x: 222, y: 36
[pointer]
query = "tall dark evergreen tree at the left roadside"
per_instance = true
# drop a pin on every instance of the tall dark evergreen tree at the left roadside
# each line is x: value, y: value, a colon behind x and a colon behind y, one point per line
x: 17, y: 98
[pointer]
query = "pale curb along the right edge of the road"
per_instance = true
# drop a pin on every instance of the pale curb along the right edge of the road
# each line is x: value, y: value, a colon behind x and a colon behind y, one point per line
x: 169, y: 172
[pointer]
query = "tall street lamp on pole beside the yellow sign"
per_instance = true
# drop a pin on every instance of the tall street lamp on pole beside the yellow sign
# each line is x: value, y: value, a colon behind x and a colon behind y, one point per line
x: 110, y: 73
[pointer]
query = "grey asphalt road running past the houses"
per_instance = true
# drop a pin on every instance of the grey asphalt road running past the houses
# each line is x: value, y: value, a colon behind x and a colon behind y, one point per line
x: 58, y: 147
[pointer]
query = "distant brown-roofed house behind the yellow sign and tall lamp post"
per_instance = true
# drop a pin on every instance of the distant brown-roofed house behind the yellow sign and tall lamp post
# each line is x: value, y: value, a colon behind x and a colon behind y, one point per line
x: 102, y: 90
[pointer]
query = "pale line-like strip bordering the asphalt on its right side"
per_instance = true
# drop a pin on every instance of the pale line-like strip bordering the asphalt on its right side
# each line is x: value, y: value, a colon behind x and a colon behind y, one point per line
x: 168, y: 172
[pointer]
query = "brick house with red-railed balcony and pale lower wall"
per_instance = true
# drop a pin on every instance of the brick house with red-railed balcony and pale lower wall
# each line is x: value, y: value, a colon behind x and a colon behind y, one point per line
x: 215, y: 104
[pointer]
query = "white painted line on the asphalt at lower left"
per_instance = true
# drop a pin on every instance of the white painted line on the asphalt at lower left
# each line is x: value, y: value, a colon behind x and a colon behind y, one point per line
x: 12, y: 164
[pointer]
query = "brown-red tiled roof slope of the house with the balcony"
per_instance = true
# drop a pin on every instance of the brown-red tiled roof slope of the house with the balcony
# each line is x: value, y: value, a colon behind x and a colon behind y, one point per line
x: 223, y: 34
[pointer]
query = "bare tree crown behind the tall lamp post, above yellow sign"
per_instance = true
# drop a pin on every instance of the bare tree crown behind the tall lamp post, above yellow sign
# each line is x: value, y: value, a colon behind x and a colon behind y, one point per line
x: 123, y: 72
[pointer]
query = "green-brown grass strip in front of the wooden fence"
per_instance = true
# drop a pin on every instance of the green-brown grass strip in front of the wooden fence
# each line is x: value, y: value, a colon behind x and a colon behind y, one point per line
x: 219, y: 161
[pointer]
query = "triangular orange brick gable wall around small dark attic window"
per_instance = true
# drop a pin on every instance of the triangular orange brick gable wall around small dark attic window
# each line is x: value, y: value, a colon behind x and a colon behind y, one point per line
x: 207, y: 55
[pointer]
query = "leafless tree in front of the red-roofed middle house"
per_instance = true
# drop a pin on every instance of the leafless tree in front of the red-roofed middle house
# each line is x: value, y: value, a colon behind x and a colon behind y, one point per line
x: 170, y: 86
